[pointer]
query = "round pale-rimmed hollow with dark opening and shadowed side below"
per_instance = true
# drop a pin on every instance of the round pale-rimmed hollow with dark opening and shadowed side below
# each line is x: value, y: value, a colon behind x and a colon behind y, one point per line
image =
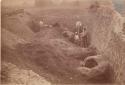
x: 96, y: 69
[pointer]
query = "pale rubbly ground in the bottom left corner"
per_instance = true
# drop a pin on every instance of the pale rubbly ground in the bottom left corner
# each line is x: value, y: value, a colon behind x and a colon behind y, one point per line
x: 12, y: 75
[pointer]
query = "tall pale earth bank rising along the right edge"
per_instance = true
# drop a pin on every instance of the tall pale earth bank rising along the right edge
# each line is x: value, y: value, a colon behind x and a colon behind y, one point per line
x: 106, y: 26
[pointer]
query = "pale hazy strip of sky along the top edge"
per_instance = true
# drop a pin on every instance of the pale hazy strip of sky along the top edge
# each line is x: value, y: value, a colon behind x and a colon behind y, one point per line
x: 7, y: 2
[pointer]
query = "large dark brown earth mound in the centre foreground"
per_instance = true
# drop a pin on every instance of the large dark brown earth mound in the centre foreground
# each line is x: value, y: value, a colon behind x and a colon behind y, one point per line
x: 57, y: 58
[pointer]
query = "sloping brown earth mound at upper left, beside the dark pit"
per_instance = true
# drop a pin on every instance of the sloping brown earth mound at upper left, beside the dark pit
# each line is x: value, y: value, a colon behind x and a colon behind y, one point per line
x: 17, y: 24
